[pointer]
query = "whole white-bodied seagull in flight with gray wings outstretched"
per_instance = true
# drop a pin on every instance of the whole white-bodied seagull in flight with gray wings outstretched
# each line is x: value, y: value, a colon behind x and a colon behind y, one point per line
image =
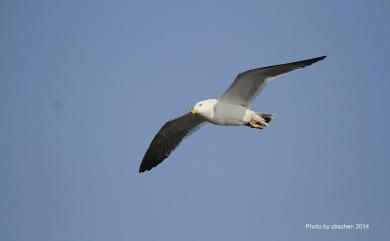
x: 231, y: 109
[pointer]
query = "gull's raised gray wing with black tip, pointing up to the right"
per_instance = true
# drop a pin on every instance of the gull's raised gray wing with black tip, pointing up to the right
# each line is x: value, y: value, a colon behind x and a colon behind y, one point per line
x: 248, y: 84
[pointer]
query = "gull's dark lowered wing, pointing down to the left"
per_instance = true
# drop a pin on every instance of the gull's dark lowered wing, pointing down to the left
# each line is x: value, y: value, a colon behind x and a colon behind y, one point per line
x: 168, y: 138
